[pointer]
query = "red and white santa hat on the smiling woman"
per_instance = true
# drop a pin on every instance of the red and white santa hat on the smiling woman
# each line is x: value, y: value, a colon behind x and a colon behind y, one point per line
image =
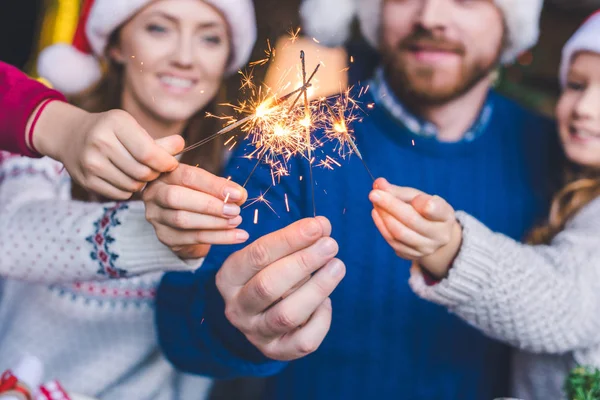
x: 74, y: 68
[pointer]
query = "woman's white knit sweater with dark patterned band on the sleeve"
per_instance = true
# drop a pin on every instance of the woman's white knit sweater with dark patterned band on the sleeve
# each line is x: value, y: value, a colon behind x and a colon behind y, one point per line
x: 58, y: 299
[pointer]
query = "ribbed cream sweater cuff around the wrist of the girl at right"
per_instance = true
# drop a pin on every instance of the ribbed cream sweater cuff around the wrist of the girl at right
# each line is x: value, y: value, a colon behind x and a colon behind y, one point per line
x: 470, y: 272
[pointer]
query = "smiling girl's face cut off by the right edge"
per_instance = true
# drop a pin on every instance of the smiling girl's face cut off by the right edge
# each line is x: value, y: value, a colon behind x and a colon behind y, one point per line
x: 578, y: 111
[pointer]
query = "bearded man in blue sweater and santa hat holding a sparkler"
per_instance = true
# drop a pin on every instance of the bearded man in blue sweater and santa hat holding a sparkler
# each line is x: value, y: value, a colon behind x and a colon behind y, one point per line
x: 332, y: 282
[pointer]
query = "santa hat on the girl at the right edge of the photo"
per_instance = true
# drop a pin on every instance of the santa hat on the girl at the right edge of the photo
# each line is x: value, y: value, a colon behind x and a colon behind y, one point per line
x: 584, y: 39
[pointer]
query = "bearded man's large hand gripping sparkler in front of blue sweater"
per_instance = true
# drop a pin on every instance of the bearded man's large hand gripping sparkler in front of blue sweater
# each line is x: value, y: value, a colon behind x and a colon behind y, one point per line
x: 277, y: 289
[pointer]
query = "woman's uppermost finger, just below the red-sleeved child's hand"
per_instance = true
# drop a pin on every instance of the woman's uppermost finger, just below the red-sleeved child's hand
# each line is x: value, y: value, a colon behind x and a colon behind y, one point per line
x: 203, y: 181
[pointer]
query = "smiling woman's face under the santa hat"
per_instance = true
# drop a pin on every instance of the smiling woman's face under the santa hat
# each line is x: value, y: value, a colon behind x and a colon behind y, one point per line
x: 175, y: 53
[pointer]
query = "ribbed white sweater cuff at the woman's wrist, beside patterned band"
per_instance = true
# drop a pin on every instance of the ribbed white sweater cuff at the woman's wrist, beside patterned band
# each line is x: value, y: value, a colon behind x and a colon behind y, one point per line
x: 138, y: 248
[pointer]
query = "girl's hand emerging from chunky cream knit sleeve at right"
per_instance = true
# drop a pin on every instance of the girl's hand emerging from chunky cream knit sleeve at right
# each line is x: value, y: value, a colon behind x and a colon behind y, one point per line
x: 418, y: 226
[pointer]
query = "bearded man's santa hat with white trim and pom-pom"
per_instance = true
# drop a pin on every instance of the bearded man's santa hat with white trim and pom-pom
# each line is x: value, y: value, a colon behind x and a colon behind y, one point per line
x: 329, y: 21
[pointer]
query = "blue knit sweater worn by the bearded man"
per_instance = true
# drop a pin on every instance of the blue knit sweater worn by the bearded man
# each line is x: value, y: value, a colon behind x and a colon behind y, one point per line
x: 384, y: 341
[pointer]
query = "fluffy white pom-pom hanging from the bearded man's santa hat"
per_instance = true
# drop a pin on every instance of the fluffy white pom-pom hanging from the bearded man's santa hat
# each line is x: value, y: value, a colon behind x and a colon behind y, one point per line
x: 329, y: 21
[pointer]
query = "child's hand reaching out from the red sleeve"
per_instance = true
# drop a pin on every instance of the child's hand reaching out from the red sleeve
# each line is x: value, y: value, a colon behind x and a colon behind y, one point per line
x: 107, y: 153
